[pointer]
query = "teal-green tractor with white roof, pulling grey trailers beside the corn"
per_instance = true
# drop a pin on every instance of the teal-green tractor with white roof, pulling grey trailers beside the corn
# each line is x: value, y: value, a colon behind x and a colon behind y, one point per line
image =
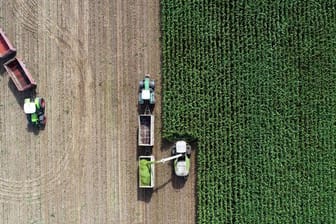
x: 146, y: 91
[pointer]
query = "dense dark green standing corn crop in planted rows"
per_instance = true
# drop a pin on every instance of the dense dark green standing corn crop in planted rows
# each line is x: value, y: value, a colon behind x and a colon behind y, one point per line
x: 255, y: 83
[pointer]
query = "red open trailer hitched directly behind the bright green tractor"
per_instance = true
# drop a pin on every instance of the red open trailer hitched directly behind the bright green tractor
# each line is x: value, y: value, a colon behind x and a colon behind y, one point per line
x: 20, y: 75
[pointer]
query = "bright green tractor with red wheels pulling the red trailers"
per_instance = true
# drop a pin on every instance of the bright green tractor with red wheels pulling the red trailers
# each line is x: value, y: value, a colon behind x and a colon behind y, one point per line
x: 34, y: 109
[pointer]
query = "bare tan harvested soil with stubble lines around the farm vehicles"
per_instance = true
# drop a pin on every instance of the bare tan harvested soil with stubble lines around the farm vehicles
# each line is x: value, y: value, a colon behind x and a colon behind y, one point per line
x: 87, y: 58
